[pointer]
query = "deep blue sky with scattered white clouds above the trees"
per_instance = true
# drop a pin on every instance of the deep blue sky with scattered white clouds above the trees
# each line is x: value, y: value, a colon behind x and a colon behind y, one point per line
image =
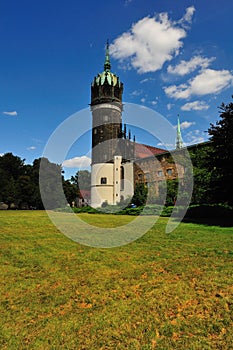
x: 172, y: 56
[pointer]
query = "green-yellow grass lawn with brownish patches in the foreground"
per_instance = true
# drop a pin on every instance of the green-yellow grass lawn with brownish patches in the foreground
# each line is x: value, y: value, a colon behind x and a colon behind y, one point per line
x: 163, y: 291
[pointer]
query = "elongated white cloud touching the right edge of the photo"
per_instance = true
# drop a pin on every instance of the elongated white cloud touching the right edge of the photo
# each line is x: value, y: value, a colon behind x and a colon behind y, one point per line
x: 208, y: 81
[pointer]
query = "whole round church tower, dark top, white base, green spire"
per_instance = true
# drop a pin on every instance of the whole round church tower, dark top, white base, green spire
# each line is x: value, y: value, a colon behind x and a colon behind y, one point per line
x: 111, y: 152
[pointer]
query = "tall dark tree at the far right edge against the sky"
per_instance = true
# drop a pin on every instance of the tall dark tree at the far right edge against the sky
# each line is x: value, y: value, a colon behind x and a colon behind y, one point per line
x: 222, y: 155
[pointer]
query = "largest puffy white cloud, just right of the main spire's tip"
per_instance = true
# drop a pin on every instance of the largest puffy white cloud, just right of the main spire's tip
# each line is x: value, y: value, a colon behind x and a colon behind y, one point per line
x: 151, y: 42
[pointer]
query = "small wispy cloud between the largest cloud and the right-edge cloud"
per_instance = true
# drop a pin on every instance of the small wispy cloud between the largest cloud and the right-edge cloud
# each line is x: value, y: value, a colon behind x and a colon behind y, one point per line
x: 186, y: 67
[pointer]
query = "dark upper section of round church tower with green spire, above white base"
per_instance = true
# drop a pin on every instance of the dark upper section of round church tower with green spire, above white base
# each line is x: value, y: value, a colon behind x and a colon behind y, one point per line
x: 106, y: 107
